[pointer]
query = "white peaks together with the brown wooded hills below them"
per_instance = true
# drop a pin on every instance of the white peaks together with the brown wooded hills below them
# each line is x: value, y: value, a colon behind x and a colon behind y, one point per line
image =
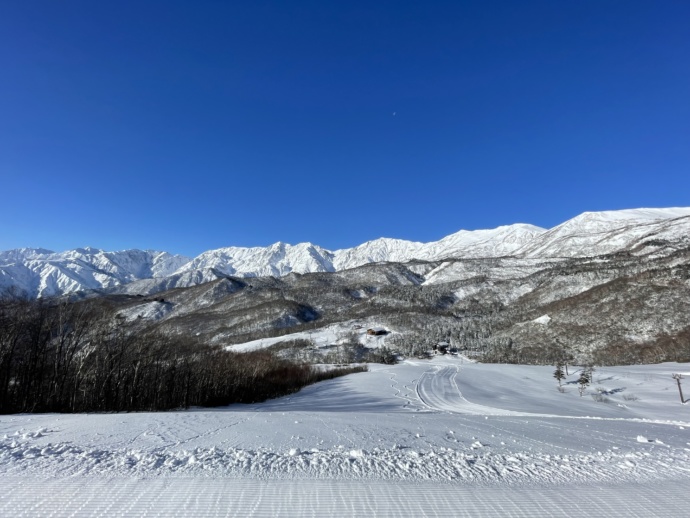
x: 610, y: 287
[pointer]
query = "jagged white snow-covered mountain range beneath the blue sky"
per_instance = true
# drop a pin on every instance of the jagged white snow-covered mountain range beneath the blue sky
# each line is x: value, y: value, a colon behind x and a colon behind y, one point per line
x: 42, y: 273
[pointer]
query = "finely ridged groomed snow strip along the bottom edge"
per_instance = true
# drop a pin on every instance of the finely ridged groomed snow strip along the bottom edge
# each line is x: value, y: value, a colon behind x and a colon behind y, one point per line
x: 209, y: 498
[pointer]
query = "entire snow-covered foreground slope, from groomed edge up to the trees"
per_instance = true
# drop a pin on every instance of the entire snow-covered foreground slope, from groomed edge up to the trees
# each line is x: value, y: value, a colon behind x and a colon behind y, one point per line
x: 425, y: 438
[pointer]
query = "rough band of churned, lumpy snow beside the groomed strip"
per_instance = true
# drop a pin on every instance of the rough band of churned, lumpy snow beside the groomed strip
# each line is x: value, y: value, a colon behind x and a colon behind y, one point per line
x: 474, y: 463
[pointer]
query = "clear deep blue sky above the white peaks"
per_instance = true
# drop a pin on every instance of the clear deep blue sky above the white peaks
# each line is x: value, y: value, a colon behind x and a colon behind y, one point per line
x: 191, y: 125
